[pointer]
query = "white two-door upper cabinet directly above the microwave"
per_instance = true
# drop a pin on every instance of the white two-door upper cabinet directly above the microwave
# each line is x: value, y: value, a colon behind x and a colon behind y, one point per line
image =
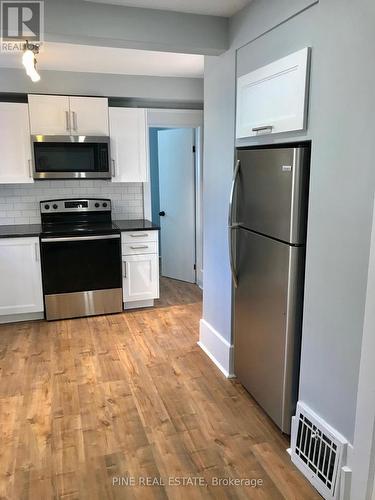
x: 64, y: 115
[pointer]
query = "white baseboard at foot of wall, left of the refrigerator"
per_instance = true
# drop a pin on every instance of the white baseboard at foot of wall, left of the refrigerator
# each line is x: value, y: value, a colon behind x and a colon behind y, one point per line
x: 217, y: 348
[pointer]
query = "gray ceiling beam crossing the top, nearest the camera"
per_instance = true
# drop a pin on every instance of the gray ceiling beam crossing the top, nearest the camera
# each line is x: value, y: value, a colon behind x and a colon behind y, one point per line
x: 77, y: 21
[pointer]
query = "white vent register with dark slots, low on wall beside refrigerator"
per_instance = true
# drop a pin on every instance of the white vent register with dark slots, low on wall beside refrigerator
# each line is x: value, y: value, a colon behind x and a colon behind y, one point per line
x: 318, y: 451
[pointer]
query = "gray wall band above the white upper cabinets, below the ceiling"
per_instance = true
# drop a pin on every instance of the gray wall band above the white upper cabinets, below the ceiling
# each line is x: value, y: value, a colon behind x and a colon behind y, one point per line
x: 66, y: 82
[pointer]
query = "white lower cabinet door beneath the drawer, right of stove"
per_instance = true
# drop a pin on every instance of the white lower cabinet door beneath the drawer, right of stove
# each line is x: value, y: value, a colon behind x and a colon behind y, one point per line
x: 140, y: 277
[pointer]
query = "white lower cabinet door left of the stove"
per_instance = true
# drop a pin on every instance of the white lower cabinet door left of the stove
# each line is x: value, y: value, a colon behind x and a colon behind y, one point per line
x: 20, y: 271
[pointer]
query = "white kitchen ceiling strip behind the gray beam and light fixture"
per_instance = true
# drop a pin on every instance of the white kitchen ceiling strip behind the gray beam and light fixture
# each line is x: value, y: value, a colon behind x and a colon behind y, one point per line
x: 84, y: 58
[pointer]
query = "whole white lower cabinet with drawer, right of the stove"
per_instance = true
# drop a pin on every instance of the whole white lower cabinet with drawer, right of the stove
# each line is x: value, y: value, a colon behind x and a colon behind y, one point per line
x: 140, y: 273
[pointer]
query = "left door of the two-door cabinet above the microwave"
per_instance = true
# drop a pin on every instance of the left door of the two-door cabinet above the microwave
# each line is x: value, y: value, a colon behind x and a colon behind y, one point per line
x: 49, y: 114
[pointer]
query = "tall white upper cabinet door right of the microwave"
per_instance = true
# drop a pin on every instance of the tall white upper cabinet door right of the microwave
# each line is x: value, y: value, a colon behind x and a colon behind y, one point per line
x: 128, y: 130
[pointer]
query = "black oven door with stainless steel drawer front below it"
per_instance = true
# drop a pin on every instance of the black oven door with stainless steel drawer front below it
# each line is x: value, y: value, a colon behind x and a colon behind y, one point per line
x: 81, y: 275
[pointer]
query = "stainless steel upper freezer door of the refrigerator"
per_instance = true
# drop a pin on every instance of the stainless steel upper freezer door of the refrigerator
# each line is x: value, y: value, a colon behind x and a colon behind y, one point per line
x: 272, y: 192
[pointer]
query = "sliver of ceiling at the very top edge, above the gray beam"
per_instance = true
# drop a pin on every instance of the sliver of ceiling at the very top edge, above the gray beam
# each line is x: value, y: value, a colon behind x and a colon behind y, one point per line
x: 223, y: 8
